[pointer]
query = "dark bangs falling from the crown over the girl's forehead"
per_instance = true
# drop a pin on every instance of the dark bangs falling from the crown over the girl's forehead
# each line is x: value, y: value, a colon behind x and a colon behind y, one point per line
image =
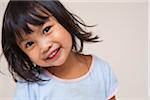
x: 27, y: 13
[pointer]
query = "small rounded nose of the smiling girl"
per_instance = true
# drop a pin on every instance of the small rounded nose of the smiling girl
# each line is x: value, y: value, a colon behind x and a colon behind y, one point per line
x: 45, y: 45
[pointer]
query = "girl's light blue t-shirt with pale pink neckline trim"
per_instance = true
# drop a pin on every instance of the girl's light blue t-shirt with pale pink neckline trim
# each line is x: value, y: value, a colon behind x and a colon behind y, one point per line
x: 99, y: 83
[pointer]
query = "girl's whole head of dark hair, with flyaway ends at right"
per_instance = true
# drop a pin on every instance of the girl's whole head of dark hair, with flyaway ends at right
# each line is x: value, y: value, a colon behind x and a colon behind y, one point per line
x: 18, y: 14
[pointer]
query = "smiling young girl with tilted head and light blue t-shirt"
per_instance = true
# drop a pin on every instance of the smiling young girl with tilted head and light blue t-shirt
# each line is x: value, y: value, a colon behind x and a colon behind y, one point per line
x: 40, y: 40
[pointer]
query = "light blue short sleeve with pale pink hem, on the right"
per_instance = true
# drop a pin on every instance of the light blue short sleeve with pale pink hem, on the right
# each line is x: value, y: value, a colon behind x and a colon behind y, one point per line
x: 111, y: 82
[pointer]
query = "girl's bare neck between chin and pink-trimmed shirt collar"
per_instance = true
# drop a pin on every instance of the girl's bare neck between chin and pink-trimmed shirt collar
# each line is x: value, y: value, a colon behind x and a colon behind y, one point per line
x: 74, y: 66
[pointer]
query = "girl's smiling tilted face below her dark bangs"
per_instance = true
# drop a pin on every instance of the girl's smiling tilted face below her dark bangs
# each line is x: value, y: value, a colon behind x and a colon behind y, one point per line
x: 48, y: 44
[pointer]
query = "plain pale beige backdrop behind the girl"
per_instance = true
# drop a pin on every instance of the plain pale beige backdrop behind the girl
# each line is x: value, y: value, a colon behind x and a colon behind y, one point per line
x: 122, y: 25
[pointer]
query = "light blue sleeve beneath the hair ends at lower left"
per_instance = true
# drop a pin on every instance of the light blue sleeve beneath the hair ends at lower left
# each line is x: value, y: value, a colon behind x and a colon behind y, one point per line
x: 23, y: 92
